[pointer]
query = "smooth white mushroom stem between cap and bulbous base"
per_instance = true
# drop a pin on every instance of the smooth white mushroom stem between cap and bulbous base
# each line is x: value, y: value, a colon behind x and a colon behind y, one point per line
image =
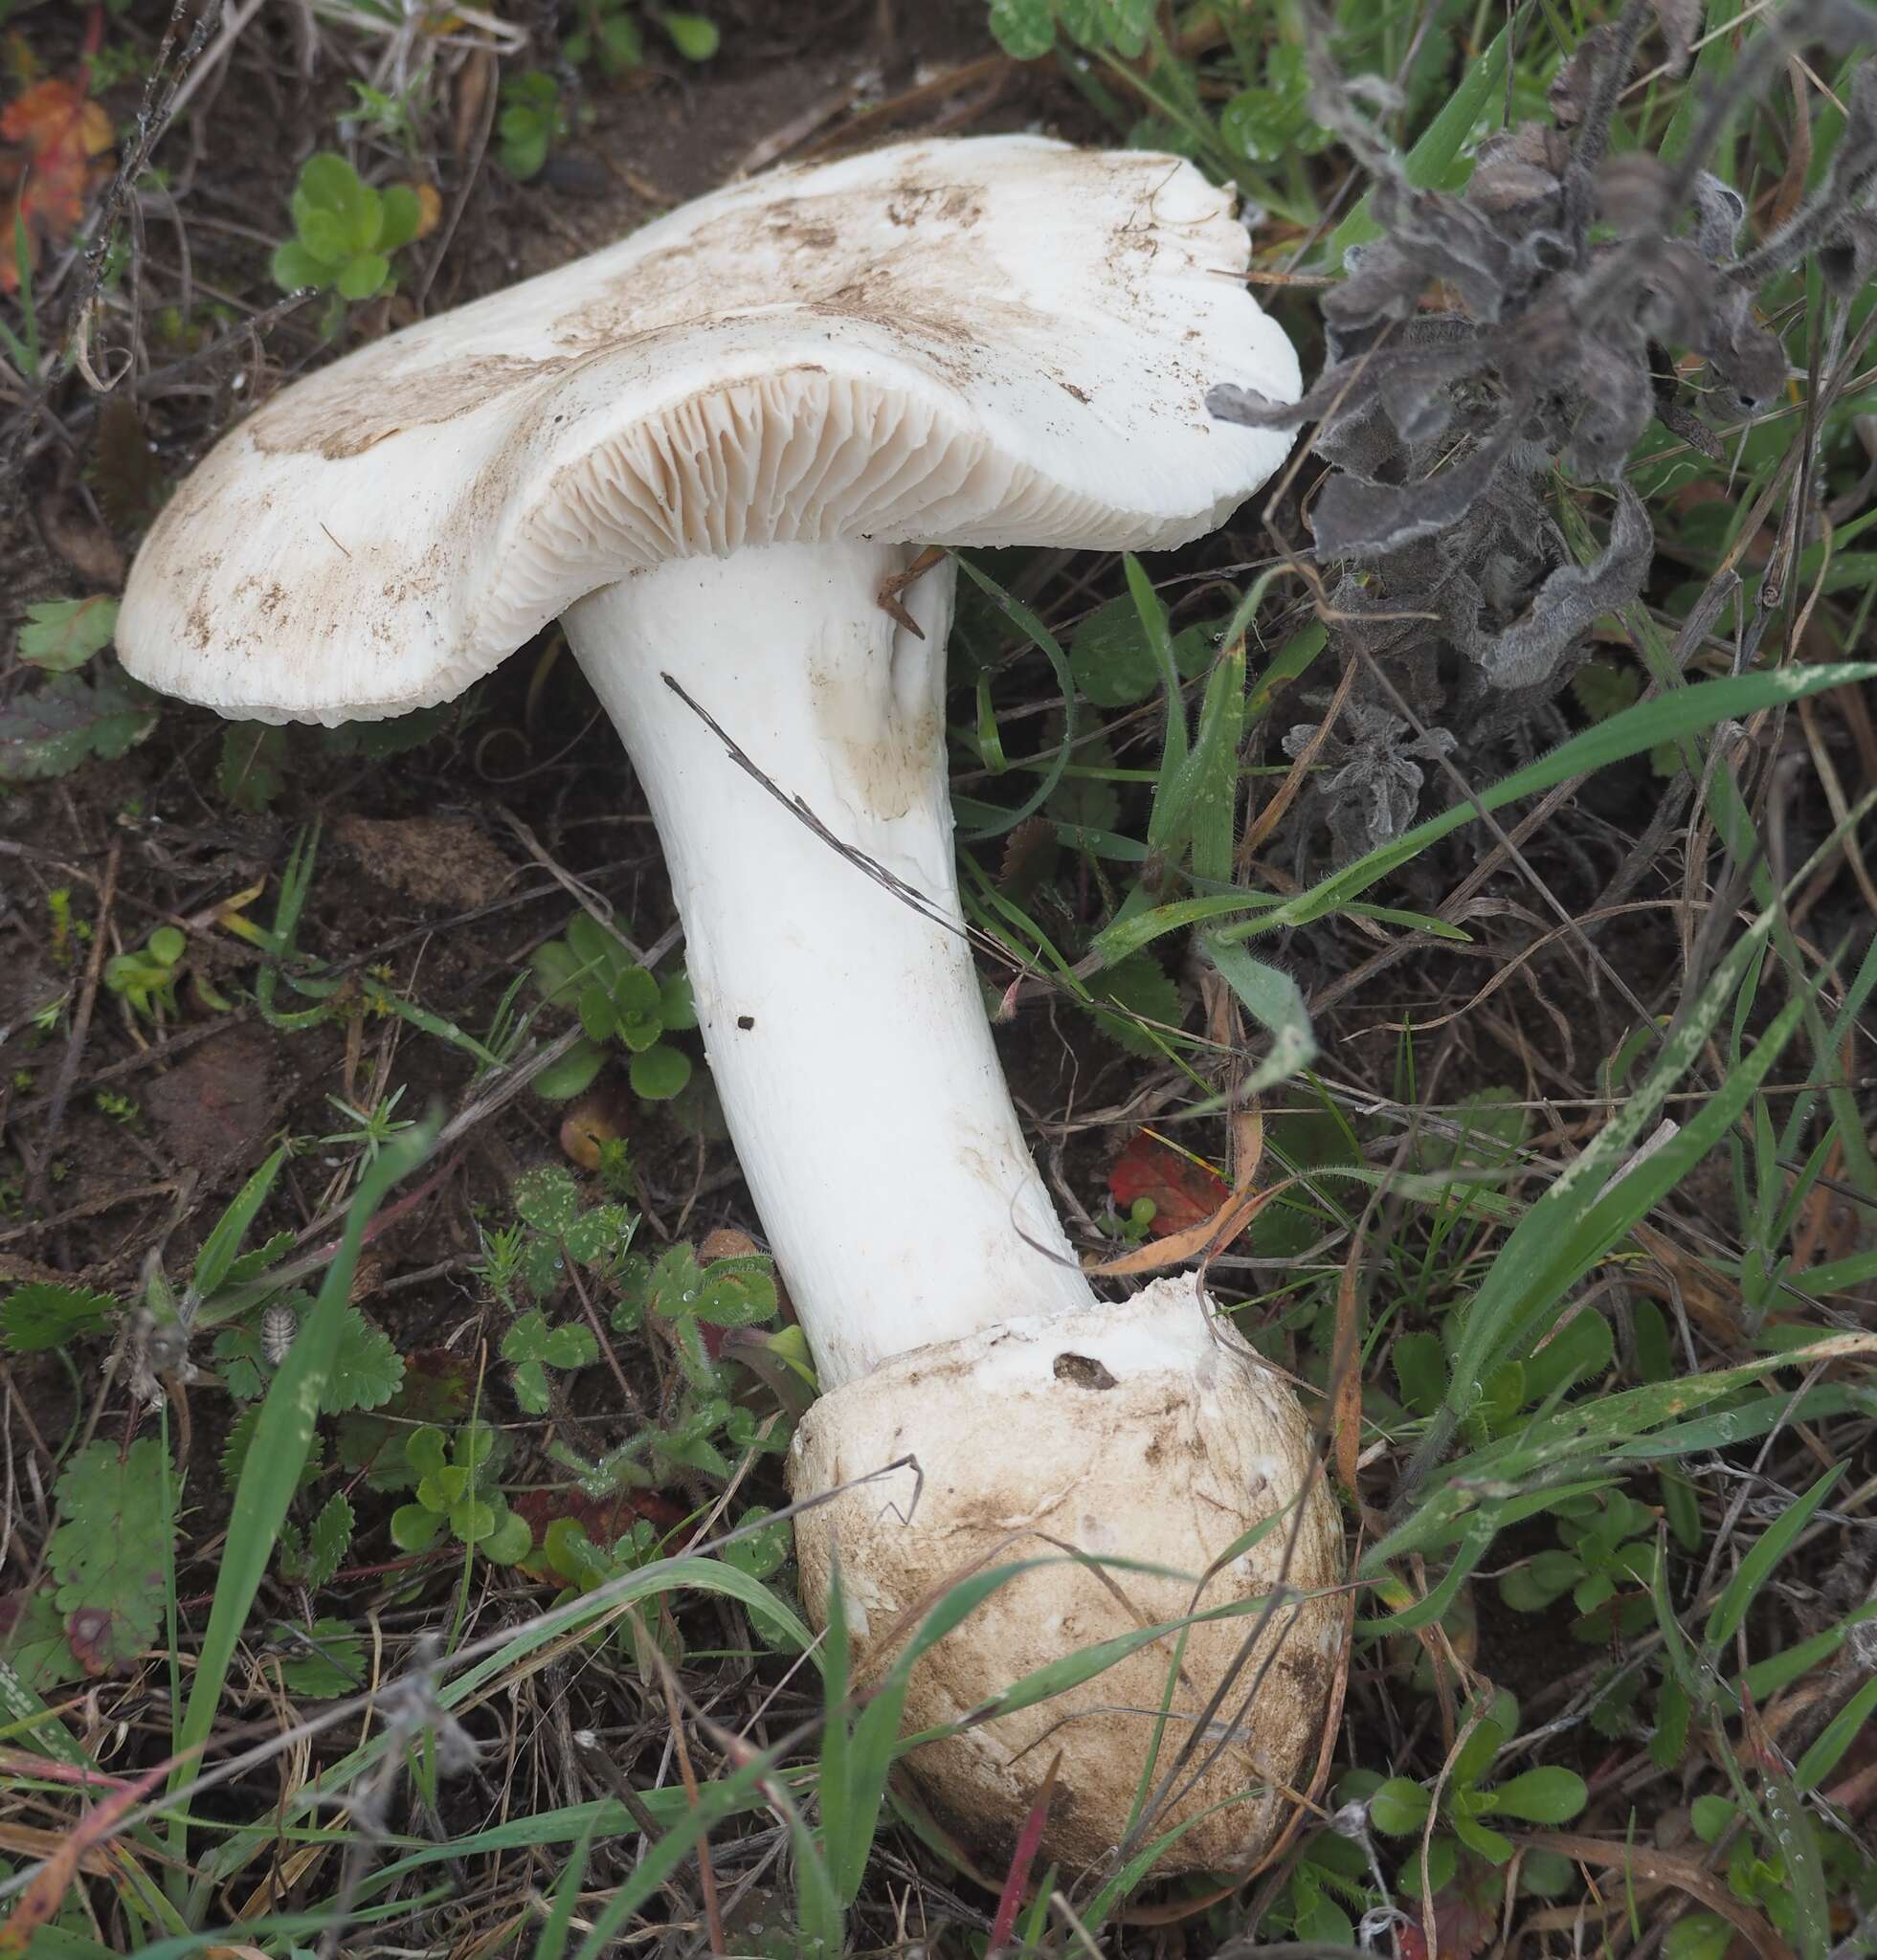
x: 845, y: 1024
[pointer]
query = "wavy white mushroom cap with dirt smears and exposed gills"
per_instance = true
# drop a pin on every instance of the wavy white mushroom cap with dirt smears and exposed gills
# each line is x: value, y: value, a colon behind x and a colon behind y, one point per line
x: 975, y: 342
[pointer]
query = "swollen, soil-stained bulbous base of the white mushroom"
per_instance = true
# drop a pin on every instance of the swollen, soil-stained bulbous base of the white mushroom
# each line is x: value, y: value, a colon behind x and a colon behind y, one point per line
x: 1141, y: 1432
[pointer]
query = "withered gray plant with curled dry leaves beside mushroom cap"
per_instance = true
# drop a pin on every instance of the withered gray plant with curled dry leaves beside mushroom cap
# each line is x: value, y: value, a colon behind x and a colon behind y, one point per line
x: 1570, y: 279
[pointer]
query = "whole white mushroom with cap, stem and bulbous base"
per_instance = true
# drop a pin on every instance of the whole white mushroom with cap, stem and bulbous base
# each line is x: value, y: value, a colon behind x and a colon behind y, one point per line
x: 708, y: 450
